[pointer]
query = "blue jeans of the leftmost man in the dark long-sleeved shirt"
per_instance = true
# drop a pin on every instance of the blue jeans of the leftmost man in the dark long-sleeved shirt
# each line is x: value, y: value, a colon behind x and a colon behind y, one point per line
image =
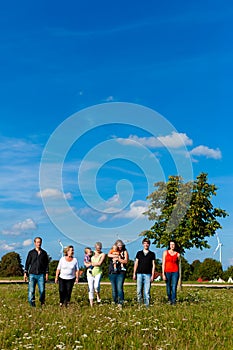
x: 33, y: 280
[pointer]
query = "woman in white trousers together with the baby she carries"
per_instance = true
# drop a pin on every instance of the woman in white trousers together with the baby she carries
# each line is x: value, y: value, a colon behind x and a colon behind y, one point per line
x: 93, y: 264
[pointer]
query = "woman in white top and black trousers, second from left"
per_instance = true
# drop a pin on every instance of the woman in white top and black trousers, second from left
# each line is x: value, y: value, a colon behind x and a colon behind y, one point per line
x: 67, y: 274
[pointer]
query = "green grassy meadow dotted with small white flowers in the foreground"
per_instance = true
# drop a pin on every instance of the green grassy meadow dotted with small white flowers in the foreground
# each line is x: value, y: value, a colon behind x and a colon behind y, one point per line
x: 202, y: 319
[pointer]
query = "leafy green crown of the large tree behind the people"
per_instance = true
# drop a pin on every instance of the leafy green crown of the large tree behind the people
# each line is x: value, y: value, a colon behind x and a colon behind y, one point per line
x: 183, y: 212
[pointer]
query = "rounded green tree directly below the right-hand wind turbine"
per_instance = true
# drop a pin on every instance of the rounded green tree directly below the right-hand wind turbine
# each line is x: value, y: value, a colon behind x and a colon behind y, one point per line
x: 210, y: 269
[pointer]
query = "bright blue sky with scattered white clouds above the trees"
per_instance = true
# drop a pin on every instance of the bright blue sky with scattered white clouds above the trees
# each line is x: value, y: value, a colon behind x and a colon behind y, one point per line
x: 98, y: 102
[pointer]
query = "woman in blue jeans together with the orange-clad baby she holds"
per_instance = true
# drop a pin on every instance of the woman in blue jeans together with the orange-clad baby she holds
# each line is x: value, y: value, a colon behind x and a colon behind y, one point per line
x: 119, y: 257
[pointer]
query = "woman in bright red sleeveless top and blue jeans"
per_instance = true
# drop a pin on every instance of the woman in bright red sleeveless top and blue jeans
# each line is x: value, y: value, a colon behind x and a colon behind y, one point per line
x: 170, y: 271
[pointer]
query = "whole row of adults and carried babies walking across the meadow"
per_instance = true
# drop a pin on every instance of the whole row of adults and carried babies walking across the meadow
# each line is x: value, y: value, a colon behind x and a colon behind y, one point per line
x: 67, y: 273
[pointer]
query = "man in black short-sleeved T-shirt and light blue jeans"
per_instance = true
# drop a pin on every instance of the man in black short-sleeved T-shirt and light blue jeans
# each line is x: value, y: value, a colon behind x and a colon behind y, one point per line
x: 144, y: 269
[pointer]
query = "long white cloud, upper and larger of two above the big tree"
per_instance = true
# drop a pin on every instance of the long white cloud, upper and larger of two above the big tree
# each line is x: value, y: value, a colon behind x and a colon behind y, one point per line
x: 174, y: 140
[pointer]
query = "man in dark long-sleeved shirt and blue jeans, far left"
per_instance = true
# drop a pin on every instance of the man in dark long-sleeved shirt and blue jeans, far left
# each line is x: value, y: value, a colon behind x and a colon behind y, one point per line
x: 36, y: 269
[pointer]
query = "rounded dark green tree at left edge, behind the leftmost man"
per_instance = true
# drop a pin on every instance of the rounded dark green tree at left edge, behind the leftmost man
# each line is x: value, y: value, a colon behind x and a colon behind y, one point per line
x: 10, y: 265
